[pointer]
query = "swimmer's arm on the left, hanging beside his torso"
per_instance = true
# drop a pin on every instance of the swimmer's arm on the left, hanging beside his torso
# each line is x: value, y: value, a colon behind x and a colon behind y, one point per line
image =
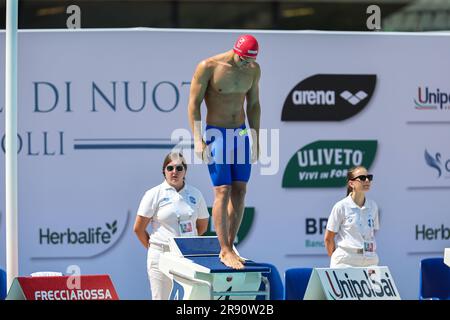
x: 199, y: 83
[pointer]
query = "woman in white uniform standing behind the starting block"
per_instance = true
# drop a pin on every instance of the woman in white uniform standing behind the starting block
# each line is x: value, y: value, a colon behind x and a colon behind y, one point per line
x: 174, y: 209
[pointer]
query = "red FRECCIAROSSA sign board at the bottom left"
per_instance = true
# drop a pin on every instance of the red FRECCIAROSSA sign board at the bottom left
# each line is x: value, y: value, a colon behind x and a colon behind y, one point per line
x: 86, y: 287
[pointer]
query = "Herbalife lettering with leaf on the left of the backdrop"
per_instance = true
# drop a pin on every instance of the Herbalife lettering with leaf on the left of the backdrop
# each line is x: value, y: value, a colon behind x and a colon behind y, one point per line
x: 96, y: 235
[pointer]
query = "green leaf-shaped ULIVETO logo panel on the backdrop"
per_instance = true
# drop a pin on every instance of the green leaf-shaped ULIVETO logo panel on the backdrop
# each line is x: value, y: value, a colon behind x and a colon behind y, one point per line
x: 324, y: 164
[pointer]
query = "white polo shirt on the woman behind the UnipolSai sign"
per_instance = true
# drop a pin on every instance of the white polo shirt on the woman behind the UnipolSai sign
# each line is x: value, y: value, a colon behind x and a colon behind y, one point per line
x: 352, y: 224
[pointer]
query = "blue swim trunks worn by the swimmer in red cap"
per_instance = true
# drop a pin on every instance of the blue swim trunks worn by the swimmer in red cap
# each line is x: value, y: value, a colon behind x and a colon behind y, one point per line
x: 230, y: 153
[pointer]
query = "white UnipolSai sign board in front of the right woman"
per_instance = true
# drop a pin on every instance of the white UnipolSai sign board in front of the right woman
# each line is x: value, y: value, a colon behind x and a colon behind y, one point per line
x: 369, y: 286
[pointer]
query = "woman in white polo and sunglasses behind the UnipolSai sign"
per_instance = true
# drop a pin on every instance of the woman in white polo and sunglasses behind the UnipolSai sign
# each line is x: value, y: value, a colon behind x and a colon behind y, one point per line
x: 350, y: 232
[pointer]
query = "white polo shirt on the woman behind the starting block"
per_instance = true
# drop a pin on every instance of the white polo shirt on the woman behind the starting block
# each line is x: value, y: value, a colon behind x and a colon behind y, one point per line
x: 165, y: 206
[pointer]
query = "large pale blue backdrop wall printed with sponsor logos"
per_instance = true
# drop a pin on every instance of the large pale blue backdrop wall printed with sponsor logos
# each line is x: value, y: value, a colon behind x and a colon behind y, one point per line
x: 99, y: 110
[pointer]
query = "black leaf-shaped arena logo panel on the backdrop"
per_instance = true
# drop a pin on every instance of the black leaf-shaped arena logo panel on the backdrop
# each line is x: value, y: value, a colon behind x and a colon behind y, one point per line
x: 328, y: 97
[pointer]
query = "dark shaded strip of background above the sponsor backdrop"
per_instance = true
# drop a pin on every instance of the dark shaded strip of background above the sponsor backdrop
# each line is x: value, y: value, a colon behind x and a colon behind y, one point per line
x: 349, y: 15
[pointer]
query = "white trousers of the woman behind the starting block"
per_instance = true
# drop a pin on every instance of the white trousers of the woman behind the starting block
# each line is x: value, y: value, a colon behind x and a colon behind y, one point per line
x: 160, y: 284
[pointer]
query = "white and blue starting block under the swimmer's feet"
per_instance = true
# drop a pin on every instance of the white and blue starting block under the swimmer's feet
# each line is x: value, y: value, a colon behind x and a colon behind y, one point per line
x: 197, y: 273
